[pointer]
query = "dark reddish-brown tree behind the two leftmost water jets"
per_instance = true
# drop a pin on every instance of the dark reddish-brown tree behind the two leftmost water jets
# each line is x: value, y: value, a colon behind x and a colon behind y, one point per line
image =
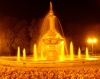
x: 22, y: 40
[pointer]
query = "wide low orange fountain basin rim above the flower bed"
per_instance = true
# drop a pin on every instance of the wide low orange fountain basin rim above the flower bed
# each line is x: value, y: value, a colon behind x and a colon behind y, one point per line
x: 11, y: 61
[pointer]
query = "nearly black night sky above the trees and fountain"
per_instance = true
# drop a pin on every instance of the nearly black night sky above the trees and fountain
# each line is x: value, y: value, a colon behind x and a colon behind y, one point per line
x: 68, y: 11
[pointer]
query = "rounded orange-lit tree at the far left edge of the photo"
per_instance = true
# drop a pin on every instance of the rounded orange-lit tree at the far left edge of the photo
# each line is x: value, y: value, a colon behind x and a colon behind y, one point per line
x: 7, y: 38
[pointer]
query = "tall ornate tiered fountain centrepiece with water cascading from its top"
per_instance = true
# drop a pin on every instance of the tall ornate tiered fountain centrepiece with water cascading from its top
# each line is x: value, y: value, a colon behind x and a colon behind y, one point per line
x: 51, y: 43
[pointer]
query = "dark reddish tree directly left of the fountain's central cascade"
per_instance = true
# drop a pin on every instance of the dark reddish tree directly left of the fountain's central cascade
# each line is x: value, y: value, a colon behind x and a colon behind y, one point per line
x: 34, y: 30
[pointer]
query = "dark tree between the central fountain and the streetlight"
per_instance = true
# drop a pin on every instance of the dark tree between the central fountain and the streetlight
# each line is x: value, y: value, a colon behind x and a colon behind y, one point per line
x: 74, y: 34
